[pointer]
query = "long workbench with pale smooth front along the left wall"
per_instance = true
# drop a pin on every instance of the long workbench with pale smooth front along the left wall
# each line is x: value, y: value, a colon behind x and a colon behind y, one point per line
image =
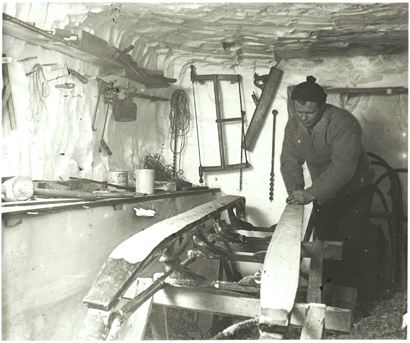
x: 54, y: 248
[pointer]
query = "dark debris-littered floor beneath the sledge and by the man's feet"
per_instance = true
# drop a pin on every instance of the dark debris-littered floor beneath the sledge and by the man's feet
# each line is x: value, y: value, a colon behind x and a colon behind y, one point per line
x: 384, y: 322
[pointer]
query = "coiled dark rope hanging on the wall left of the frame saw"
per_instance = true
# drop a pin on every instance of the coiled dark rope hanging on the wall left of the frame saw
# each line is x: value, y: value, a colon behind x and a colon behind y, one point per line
x: 180, y: 122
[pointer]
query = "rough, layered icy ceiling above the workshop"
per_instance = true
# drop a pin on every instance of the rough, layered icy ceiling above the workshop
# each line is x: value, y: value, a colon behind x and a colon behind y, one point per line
x: 271, y: 31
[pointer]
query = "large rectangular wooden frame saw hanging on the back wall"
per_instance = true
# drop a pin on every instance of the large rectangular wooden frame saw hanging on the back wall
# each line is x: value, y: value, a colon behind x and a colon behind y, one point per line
x: 216, y: 79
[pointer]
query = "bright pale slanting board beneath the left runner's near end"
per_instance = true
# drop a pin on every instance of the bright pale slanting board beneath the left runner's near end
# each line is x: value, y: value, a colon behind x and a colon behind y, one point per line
x: 134, y: 328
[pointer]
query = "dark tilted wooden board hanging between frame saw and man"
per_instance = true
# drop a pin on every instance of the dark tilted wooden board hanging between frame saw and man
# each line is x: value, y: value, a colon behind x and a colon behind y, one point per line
x: 262, y: 109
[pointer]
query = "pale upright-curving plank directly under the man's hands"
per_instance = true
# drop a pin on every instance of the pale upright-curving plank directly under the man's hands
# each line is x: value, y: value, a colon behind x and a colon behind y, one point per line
x: 280, y: 275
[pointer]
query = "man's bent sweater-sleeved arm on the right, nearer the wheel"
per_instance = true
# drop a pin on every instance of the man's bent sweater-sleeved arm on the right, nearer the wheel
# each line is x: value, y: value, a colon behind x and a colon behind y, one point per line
x: 346, y: 149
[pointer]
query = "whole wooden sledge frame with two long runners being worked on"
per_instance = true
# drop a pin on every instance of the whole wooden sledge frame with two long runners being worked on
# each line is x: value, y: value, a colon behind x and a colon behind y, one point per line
x: 120, y: 300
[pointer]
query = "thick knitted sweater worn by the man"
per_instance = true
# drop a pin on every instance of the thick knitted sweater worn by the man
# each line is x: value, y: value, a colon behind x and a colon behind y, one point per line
x: 333, y: 152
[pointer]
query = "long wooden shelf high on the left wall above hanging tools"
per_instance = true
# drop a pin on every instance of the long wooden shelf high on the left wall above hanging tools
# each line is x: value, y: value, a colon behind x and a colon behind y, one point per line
x: 33, y: 35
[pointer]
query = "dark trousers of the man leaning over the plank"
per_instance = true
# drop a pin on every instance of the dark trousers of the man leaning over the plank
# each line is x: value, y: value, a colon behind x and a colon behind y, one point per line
x: 346, y: 219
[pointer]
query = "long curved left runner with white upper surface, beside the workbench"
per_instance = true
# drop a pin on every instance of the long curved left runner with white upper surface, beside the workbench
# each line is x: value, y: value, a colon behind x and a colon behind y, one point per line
x: 126, y: 259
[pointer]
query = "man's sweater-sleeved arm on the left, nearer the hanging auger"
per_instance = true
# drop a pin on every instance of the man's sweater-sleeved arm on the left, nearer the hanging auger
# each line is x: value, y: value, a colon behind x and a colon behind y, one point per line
x: 291, y: 162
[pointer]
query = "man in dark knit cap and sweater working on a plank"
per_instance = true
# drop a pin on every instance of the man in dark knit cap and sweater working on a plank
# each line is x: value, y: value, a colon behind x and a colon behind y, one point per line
x: 329, y: 140
